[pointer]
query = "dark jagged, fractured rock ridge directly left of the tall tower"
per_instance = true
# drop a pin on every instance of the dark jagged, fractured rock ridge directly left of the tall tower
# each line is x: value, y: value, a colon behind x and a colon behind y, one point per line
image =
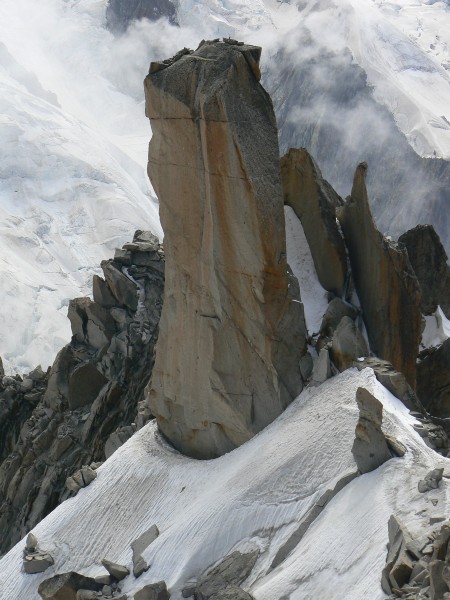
x: 57, y: 426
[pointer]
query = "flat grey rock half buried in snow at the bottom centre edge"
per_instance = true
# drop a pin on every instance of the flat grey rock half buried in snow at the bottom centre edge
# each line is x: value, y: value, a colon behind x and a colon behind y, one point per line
x: 231, y: 571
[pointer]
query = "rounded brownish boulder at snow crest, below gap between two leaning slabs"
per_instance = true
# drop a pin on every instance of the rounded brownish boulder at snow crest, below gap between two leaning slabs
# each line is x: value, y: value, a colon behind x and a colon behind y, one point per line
x: 347, y: 344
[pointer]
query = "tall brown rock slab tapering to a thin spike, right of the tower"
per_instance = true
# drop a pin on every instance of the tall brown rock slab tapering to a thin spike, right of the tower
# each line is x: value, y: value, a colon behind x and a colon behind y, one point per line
x: 386, y: 284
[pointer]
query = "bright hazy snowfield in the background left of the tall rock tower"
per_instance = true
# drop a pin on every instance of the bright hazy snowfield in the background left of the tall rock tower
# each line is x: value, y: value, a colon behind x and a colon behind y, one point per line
x: 70, y: 187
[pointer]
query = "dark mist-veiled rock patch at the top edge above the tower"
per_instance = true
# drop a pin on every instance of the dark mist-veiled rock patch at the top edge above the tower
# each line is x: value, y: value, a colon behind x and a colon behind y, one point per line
x: 120, y: 14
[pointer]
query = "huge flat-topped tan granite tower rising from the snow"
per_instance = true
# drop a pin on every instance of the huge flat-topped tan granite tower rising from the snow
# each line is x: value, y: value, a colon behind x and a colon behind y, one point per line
x: 232, y: 329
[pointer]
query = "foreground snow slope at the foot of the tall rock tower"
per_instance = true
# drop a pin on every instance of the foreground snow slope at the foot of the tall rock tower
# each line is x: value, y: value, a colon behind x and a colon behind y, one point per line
x: 255, y: 496
